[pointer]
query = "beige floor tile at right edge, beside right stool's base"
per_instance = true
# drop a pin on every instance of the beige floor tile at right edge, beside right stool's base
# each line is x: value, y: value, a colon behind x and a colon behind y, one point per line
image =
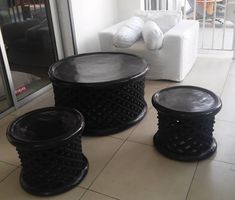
x: 225, y: 137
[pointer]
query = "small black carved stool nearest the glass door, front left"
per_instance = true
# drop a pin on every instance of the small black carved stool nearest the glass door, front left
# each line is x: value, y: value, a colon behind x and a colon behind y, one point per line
x: 48, y: 142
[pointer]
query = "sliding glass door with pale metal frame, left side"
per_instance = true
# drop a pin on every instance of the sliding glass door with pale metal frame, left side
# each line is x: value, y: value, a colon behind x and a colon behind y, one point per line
x: 33, y: 35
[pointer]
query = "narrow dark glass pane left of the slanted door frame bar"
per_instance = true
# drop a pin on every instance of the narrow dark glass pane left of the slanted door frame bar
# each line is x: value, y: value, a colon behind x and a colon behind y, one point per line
x: 5, y: 101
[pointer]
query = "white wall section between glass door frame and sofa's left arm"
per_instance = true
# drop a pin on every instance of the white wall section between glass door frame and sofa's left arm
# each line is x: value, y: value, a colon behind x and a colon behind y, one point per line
x: 91, y: 16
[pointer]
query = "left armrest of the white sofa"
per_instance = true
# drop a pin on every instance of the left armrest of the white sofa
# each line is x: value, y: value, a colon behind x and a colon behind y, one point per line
x: 106, y: 36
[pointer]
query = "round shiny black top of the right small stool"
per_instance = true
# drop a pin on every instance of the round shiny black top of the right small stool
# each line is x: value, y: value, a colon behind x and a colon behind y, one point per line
x: 186, y: 100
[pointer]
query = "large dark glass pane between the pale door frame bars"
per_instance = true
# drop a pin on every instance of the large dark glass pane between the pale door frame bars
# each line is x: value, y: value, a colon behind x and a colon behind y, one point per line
x: 28, y: 43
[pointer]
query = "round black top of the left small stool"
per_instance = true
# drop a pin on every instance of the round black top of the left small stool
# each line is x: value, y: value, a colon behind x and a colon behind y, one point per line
x: 45, y: 127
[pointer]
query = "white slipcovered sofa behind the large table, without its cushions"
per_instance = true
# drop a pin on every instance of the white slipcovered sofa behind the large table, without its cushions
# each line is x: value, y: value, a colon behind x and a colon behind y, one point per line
x: 173, y: 61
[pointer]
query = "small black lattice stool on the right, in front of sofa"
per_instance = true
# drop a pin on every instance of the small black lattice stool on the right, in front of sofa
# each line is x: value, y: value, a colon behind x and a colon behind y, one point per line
x: 185, y: 122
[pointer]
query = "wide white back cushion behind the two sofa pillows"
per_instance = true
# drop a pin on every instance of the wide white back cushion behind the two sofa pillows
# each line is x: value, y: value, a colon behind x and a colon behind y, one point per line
x: 165, y: 19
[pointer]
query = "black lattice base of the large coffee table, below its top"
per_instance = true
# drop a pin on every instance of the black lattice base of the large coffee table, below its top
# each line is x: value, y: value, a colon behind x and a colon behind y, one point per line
x: 106, y: 110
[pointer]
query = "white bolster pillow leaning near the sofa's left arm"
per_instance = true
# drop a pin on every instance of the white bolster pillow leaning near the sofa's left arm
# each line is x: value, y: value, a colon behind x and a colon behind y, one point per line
x: 128, y: 34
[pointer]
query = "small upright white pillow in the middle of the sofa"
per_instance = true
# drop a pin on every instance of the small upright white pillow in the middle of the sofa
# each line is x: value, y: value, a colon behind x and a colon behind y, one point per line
x: 152, y: 35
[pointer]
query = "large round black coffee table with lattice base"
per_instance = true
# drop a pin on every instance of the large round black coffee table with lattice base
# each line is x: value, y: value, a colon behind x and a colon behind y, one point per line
x: 107, y: 88
